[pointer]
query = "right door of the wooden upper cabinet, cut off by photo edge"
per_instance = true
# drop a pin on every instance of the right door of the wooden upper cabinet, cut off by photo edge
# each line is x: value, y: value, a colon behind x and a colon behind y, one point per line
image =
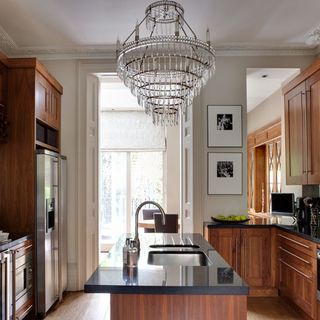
x: 313, y: 128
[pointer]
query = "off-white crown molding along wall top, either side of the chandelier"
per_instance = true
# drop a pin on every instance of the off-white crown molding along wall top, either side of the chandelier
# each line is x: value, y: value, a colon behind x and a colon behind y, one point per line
x: 8, y: 46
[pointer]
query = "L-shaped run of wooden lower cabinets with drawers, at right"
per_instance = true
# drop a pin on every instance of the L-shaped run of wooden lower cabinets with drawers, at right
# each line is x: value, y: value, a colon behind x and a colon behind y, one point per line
x: 271, y: 261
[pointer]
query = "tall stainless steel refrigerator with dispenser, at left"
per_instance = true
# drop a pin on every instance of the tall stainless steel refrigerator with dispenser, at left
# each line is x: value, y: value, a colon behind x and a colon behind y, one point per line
x: 51, y: 235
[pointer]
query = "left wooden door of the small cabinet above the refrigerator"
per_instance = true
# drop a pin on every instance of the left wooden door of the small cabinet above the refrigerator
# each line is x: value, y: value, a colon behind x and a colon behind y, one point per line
x: 42, y: 98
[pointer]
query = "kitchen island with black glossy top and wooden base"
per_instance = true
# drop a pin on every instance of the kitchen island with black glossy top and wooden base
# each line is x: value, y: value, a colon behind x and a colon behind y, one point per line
x: 171, y: 291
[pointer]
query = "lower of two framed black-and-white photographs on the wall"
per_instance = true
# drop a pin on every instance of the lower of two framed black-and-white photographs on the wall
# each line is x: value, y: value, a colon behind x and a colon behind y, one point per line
x: 224, y: 173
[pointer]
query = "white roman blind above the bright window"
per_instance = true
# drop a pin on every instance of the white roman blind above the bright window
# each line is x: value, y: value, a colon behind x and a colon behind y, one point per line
x: 130, y: 130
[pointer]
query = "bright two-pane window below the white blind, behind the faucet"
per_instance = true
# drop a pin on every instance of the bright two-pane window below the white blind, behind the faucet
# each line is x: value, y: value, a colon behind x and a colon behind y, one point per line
x: 127, y: 179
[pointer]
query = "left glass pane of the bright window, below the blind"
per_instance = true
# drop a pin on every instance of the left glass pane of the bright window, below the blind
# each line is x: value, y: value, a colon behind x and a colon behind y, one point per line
x: 113, y: 194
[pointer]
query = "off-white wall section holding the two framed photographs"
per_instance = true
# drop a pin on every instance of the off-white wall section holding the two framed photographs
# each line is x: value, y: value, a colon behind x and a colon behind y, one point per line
x: 227, y: 87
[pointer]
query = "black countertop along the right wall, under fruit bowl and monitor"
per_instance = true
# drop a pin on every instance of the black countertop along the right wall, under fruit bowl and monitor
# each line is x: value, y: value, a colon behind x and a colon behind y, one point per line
x: 303, y: 230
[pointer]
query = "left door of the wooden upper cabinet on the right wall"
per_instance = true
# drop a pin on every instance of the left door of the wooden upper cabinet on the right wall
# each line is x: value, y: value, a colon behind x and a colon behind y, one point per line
x: 296, y: 135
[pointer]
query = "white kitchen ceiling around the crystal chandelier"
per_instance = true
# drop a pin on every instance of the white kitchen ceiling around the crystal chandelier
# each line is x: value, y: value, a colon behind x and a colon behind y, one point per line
x: 91, y: 28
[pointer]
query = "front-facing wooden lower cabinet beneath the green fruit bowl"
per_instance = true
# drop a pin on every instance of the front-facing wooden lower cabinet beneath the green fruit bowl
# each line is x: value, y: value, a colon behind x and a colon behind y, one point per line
x: 249, y: 252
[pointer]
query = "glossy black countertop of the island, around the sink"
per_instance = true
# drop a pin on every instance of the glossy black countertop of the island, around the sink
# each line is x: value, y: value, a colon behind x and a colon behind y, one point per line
x: 217, y: 278
